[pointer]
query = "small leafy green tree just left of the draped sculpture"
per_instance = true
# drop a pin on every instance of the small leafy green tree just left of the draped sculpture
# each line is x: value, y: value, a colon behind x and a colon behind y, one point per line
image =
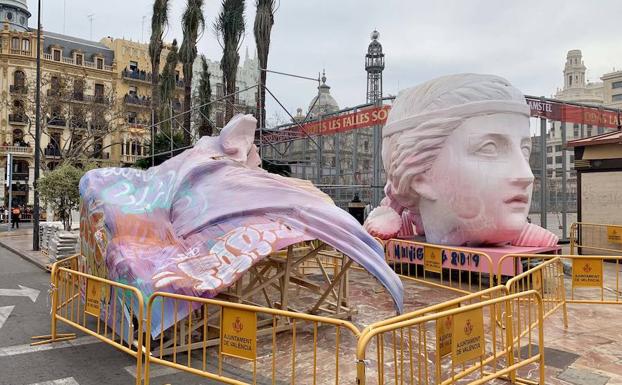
x: 60, y: 189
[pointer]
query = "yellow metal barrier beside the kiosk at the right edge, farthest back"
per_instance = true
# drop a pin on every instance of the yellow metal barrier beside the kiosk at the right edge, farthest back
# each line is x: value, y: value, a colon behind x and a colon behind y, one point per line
x: 595, y: 238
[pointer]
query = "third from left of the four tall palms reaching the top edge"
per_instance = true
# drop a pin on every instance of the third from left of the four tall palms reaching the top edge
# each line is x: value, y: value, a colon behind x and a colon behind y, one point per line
x: 230, y: 30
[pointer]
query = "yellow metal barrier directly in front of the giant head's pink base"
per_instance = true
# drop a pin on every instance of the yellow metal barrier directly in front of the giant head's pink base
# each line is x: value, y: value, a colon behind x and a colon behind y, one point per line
x: 457, y: 269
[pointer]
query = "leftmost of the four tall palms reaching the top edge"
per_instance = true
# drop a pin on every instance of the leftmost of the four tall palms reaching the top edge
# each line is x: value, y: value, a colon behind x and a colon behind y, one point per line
x: 159, y: 20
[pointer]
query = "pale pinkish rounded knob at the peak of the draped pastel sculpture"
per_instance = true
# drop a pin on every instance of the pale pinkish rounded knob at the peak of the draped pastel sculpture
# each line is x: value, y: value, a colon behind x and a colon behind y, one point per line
x: 237, y: 137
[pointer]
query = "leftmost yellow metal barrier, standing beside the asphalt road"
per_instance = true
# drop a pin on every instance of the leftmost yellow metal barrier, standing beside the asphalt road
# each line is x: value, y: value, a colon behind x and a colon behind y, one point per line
x: 97, y: 307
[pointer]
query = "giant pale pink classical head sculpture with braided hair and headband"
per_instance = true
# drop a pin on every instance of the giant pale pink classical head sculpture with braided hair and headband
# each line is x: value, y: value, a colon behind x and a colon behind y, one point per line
x: 456, y: 153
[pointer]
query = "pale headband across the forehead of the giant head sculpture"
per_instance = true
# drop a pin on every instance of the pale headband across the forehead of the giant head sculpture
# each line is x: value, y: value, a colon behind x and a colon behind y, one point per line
x: 483, y: 107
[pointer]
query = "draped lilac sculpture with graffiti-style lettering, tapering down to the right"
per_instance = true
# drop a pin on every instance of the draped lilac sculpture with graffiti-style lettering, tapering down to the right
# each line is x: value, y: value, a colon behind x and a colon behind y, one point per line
x: 194, y: 224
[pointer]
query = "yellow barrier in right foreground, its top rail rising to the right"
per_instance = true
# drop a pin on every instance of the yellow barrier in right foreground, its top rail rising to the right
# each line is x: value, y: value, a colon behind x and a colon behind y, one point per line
x: 435, y: 346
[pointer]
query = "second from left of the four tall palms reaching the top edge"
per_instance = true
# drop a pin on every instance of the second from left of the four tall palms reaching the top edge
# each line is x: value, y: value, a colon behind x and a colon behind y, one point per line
x: 192, y: 22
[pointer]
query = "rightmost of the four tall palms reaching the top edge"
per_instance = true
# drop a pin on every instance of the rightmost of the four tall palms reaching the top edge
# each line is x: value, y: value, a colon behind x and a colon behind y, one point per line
x: 264, y: 19
